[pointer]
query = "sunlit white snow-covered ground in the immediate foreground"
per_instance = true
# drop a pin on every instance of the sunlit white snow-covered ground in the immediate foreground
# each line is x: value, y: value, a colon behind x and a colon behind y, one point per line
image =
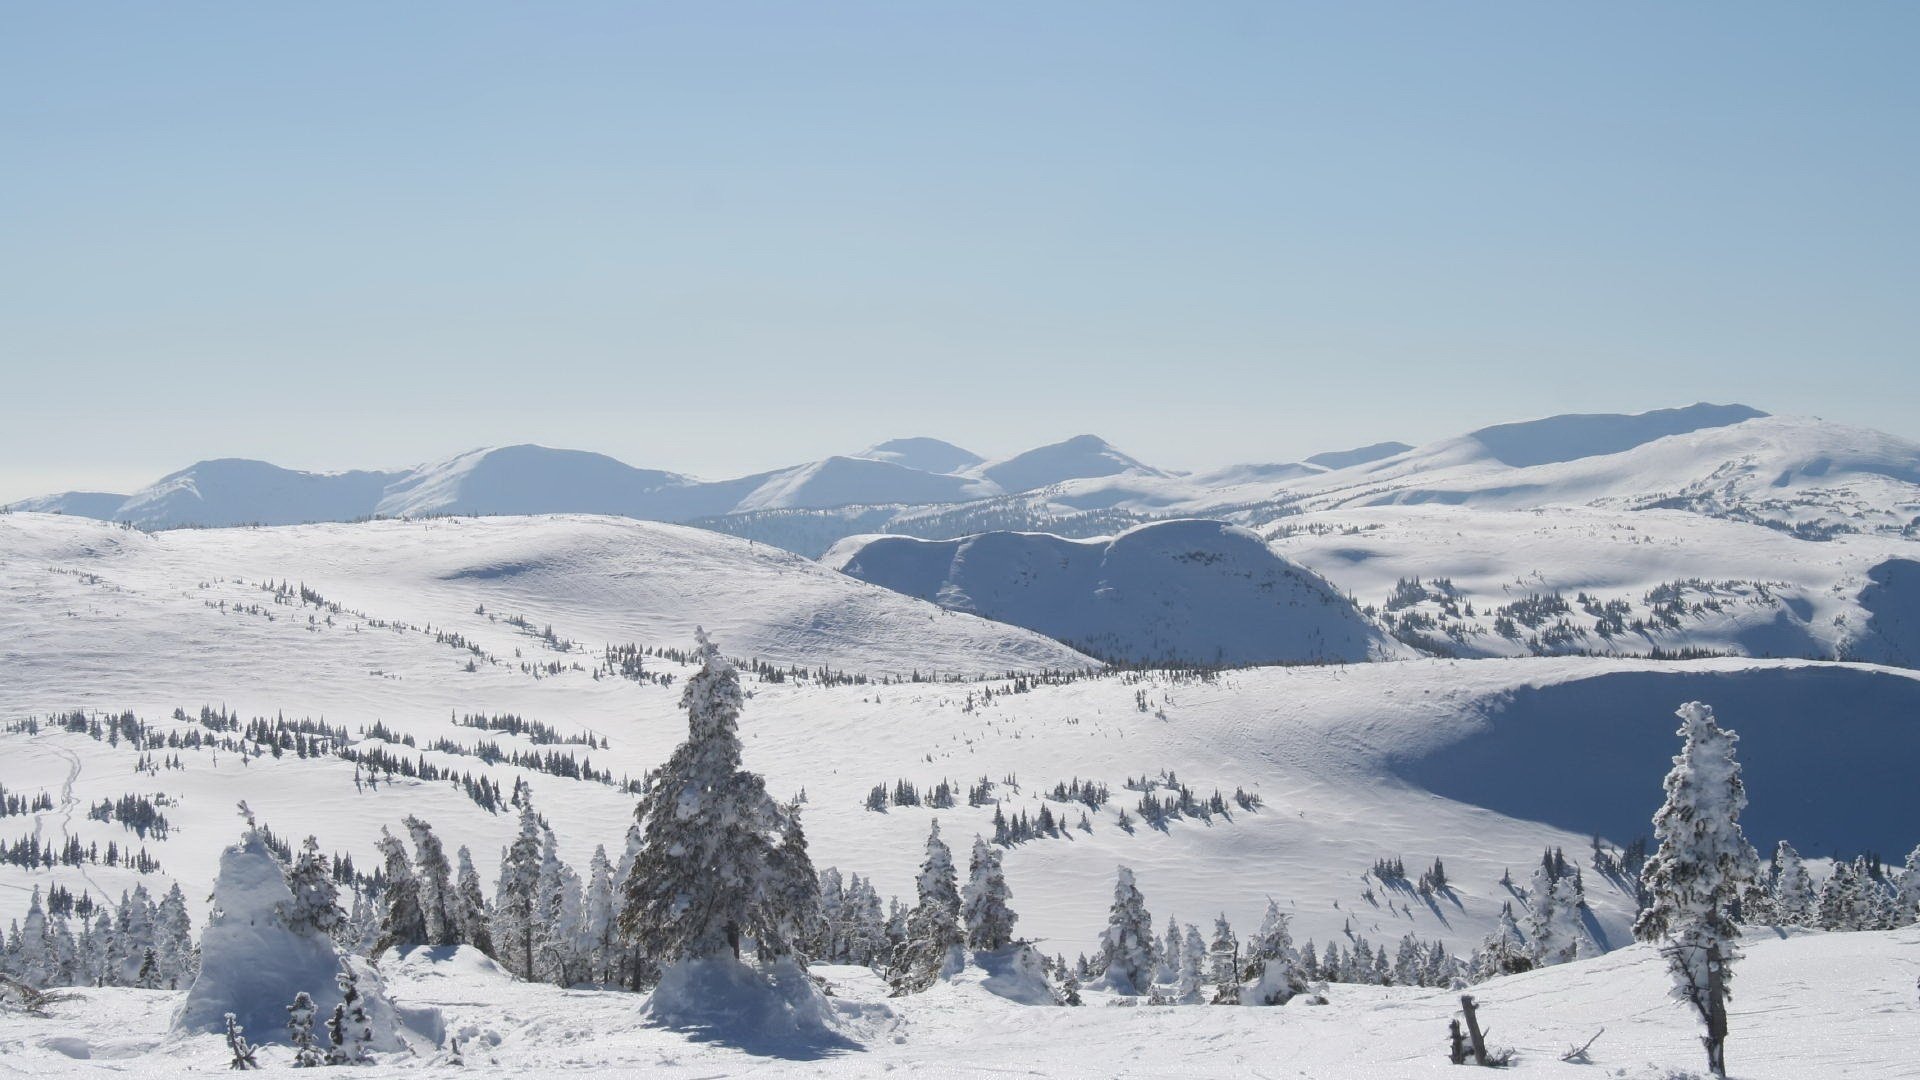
x: 1806, y: 1006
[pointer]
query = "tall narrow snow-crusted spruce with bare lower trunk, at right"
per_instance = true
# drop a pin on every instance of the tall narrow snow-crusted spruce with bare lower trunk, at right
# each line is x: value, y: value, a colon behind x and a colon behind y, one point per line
x: 1696, y: 875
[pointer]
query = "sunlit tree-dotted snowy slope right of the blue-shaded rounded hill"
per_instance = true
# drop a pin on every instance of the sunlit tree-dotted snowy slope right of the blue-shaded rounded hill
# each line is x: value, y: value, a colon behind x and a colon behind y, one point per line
x: 1654, y: 581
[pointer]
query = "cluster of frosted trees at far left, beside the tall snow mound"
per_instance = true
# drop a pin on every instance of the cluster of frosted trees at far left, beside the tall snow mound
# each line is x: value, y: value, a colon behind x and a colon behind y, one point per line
x: 80, y: 943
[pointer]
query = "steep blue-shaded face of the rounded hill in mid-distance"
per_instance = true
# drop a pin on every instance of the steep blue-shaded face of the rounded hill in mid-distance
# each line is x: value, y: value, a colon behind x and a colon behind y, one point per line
x: 1170, y: 593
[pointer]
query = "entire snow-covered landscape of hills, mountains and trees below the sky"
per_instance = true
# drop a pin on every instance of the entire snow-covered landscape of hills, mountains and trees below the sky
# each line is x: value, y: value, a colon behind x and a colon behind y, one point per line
x: 1055, y: 766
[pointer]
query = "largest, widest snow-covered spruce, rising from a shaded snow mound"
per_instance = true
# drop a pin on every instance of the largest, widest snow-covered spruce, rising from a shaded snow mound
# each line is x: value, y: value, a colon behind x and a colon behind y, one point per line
x: 706, y: 877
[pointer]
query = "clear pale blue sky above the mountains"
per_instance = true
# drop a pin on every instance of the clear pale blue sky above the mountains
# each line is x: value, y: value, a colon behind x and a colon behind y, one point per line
x: 723, y: 237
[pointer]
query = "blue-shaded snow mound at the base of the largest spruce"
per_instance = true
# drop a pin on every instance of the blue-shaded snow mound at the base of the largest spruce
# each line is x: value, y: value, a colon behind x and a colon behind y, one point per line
x: 775, y: 1012
